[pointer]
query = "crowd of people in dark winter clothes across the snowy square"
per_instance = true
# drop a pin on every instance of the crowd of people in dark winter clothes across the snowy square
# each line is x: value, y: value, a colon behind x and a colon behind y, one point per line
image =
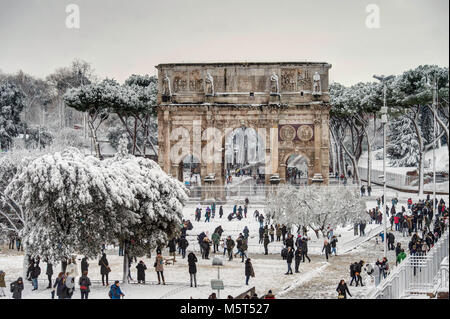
x: 422, y: 221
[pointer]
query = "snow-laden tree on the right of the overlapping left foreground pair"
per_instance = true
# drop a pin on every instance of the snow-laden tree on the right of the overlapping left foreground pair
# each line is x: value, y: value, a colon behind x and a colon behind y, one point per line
x: 160, y: 203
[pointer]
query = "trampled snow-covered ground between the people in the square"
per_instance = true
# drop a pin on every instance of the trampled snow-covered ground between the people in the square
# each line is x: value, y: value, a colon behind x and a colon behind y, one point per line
x: 317, y: 279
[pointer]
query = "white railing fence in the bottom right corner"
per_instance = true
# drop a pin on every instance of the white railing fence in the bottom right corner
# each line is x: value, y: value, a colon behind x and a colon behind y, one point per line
x: 416, y: 275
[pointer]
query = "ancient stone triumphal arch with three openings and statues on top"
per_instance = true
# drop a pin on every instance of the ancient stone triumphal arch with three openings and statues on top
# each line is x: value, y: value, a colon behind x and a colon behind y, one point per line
x: 287, y: 103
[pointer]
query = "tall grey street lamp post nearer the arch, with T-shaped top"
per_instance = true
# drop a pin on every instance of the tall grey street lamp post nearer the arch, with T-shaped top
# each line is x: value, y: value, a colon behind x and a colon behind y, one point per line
x: 384, y: 121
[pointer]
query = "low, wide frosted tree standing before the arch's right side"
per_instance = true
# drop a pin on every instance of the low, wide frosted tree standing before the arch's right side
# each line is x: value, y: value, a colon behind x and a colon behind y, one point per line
x: 316, y: 207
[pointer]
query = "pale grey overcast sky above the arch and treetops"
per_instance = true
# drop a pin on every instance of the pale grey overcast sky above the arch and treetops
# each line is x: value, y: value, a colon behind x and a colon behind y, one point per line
x: 124, y: 37
